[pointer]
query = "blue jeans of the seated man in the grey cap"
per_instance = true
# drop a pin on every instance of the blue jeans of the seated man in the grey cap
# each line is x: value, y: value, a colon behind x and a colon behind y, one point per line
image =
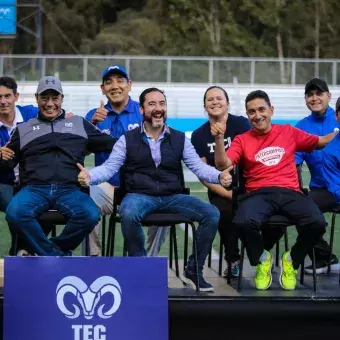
x: 31, y: 201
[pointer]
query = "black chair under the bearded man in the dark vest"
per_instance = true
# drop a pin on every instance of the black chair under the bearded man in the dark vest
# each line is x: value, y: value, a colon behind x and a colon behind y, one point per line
x: 154, y: 219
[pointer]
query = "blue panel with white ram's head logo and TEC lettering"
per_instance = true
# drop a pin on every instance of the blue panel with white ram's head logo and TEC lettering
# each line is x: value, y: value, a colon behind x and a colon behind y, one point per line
x: 85, y: 298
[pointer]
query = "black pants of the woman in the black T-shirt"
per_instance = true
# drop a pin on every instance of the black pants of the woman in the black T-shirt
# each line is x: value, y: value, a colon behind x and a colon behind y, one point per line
x: 226, y: 229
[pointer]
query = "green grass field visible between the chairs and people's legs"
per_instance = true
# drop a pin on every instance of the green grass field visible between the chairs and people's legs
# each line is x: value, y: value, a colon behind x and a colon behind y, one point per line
x: 198, y: 190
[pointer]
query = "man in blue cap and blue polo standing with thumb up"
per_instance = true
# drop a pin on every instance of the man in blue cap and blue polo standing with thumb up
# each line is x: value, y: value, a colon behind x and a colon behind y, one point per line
x: 118, y: 115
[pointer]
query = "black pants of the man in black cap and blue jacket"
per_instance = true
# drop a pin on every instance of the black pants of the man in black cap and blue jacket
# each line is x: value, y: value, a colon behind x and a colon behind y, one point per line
x: 325, y: 201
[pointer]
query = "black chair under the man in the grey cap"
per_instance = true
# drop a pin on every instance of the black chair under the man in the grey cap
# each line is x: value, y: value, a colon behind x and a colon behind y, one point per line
x: 51, y: 217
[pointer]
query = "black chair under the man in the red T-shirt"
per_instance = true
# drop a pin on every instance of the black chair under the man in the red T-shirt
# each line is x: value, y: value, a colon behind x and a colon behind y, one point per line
x: 274, y: 222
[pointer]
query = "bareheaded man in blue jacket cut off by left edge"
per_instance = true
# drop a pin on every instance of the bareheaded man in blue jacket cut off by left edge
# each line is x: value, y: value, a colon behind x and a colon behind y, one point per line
x: 10, y: 115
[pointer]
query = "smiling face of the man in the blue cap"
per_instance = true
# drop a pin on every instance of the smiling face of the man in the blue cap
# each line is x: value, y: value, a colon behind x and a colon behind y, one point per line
x: 116, y: 88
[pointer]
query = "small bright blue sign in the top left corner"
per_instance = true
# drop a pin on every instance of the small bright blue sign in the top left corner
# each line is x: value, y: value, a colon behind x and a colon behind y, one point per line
x: 8, y: 17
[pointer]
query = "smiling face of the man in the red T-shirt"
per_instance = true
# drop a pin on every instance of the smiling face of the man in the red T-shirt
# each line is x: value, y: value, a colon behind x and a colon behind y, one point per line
x: 259, y: 113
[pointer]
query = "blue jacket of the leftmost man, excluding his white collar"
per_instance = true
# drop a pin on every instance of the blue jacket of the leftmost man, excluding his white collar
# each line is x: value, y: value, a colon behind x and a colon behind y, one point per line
x: 27, y: 112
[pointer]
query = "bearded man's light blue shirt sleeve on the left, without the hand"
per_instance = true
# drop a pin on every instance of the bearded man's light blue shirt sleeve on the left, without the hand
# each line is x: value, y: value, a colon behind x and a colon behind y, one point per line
x: 112, y: 165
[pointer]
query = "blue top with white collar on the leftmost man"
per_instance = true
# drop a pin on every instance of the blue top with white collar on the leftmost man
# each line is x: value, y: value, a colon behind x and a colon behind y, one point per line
x: 22, y: 114
